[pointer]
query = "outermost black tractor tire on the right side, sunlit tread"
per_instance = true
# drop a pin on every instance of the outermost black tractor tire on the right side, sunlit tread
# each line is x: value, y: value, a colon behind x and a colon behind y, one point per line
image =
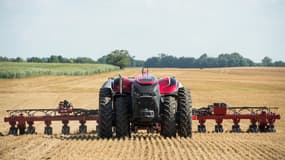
x: 184, y: 116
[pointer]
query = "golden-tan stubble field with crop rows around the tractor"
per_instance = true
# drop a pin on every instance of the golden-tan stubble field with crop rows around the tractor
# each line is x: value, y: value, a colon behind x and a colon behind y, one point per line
x: 235, y: 86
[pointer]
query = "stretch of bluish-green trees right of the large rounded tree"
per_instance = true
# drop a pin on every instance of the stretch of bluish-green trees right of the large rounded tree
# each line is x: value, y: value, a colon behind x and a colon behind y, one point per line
x: 204, y: 61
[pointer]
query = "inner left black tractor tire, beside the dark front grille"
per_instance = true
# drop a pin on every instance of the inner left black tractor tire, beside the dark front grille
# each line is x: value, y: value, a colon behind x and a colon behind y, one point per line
x: 122, y: 120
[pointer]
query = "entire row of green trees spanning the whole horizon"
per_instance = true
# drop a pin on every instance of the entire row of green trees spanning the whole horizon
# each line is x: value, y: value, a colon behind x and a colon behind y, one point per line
x: 123, y: 59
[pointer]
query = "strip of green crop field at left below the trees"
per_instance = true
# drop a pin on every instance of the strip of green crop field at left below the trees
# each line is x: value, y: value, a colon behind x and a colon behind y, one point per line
x: 10, y: 70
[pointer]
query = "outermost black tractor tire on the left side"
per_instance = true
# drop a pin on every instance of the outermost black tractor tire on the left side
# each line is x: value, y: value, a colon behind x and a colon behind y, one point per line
x: 105, y: 113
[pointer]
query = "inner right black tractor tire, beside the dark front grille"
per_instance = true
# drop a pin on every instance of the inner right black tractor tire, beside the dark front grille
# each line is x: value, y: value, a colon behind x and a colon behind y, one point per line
x: 168, y: 120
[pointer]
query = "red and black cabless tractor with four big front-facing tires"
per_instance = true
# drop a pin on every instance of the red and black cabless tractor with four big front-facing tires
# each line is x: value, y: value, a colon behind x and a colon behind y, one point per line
x: 144, y: 102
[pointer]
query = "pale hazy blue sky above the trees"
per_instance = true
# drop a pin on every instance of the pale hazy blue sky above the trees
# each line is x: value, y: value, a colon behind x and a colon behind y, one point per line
x: 93, y: 28
